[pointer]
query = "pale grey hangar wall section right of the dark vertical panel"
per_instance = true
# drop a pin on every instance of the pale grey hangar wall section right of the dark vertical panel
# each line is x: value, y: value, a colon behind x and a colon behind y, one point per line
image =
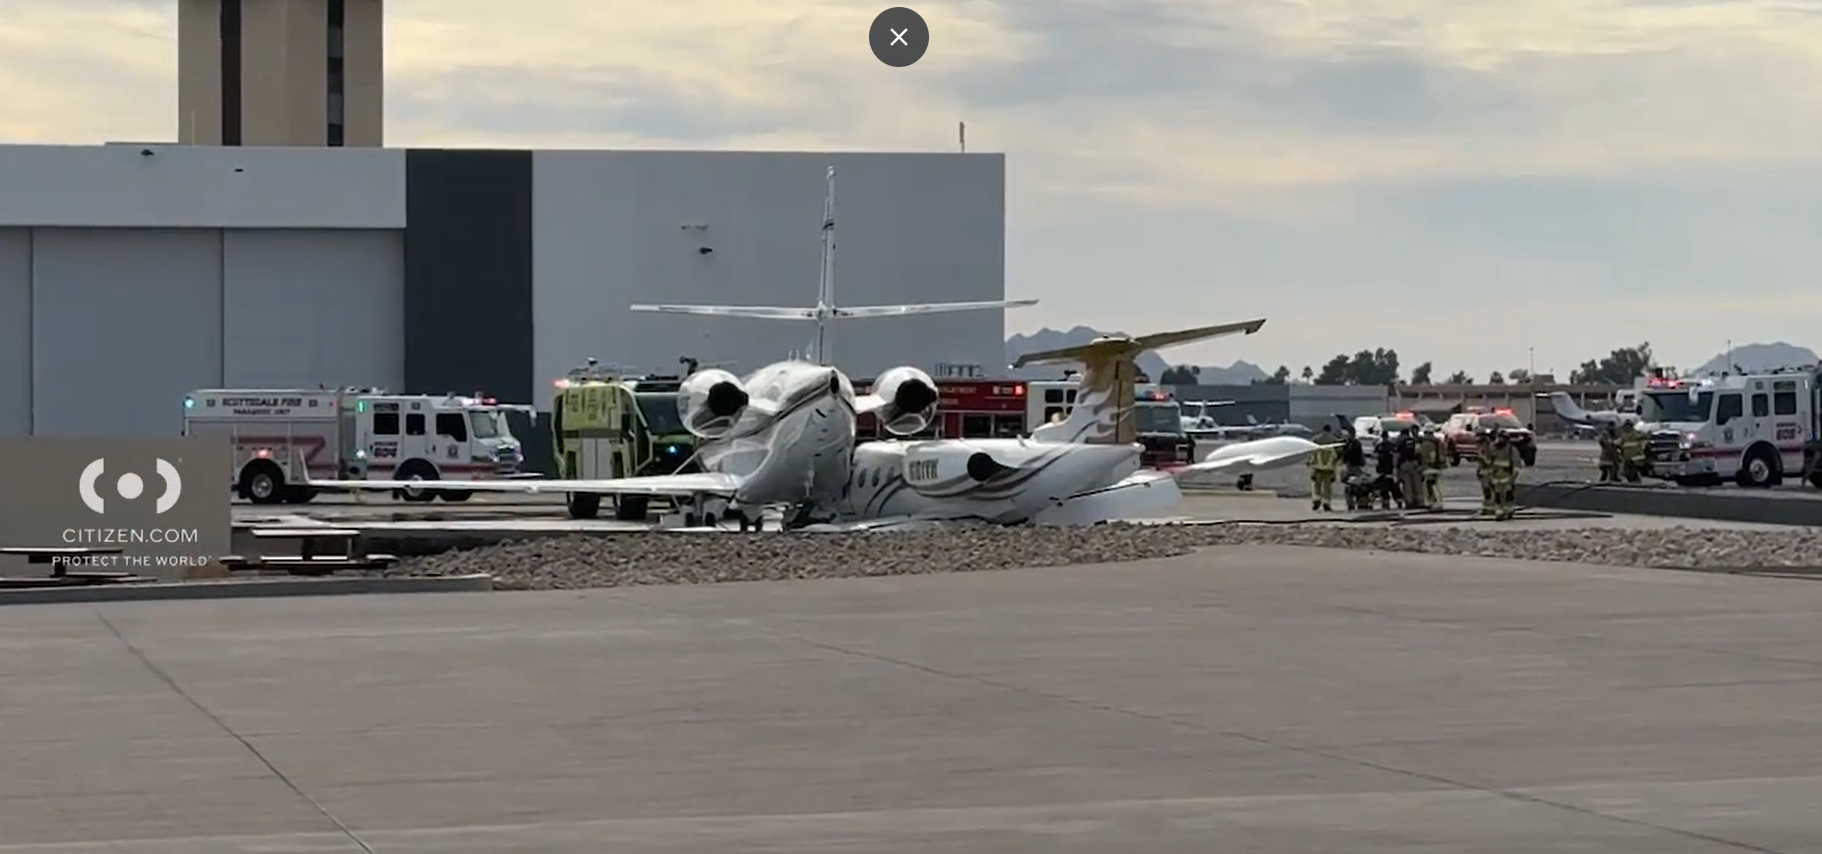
x: 615, y: 229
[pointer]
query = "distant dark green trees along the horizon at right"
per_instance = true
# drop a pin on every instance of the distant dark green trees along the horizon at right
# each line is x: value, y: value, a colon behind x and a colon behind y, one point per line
x: 1380, y: 369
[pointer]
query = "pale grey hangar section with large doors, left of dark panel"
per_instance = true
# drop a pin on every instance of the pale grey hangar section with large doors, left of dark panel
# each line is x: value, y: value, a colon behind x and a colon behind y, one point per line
x: 128, y: 280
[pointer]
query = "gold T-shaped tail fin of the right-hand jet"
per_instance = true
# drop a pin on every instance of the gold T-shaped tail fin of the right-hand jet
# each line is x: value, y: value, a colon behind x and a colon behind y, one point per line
x: 1109, y: 385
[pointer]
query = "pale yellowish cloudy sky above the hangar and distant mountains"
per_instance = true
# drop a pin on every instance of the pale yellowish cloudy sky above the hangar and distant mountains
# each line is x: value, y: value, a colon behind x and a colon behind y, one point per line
x: 1479, y: 185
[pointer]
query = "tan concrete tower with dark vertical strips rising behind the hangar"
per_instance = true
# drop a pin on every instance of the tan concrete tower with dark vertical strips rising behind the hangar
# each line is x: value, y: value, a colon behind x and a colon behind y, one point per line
x: 281, y: 72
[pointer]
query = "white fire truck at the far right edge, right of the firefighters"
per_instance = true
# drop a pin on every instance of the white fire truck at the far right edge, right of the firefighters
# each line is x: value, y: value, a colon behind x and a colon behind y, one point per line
x: 1748, y: 429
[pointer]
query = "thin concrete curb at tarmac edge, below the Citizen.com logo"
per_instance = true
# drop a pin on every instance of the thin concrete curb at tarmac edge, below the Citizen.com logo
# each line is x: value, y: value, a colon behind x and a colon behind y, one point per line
x: 247, y: 589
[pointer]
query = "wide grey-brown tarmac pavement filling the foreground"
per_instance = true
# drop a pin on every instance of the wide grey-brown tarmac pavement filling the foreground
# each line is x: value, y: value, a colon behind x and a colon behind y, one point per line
x: 1265, y: 700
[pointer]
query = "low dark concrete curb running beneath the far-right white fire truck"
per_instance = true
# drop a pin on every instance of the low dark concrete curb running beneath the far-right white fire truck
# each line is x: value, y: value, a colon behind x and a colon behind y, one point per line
x: 1719, y: 505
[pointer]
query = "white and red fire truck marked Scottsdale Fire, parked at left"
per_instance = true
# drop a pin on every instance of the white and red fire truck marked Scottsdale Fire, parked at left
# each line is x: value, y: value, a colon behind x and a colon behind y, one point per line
x: 287, y: 438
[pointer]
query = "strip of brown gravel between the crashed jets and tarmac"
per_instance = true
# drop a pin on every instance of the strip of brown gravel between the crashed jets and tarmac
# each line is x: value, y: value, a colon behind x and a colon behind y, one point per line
x: 717, y: 558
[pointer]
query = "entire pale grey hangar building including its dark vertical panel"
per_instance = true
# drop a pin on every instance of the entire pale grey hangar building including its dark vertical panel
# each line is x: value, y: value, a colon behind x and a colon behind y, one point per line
x: 132, y: 274
